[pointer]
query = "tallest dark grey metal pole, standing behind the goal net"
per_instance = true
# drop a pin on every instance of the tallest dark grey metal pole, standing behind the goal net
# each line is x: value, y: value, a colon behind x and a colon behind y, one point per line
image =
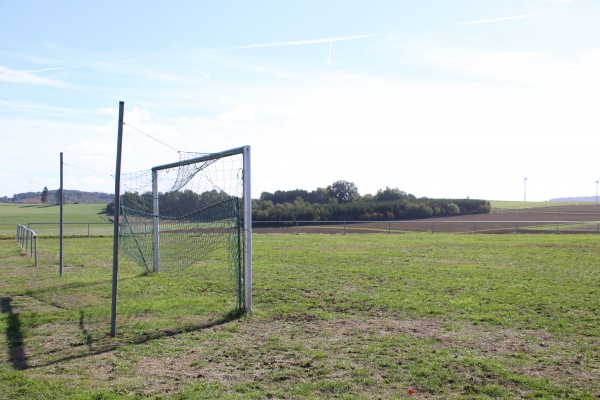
x: 113, y: 312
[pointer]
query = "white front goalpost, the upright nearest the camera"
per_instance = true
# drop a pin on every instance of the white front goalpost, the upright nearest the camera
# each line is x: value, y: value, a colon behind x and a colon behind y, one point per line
x: 247, y: 232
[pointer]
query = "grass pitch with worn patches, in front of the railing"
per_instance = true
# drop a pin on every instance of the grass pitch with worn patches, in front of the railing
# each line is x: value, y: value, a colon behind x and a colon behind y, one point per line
x: 356, y: 316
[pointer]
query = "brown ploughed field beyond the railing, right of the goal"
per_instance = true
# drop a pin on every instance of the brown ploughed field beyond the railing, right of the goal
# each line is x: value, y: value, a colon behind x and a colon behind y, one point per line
x: 552, y: 219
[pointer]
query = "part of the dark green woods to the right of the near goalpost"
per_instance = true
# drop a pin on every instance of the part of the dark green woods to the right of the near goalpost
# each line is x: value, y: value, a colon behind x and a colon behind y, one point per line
x: 341, y: 201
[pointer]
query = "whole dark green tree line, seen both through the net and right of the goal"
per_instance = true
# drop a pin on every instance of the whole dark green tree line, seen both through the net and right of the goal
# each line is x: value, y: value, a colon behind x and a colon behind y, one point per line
x: 339, y: 201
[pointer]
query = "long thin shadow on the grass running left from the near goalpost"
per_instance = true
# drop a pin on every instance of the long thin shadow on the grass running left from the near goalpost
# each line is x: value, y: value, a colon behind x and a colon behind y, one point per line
x: 229, y: 317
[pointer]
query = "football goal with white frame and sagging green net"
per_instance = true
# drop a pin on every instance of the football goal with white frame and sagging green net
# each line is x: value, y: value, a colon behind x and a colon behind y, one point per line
x: 175, y: 215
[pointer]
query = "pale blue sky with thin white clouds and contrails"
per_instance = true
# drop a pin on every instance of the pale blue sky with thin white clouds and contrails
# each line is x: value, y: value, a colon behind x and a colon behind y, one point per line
x: 486, y: 99
